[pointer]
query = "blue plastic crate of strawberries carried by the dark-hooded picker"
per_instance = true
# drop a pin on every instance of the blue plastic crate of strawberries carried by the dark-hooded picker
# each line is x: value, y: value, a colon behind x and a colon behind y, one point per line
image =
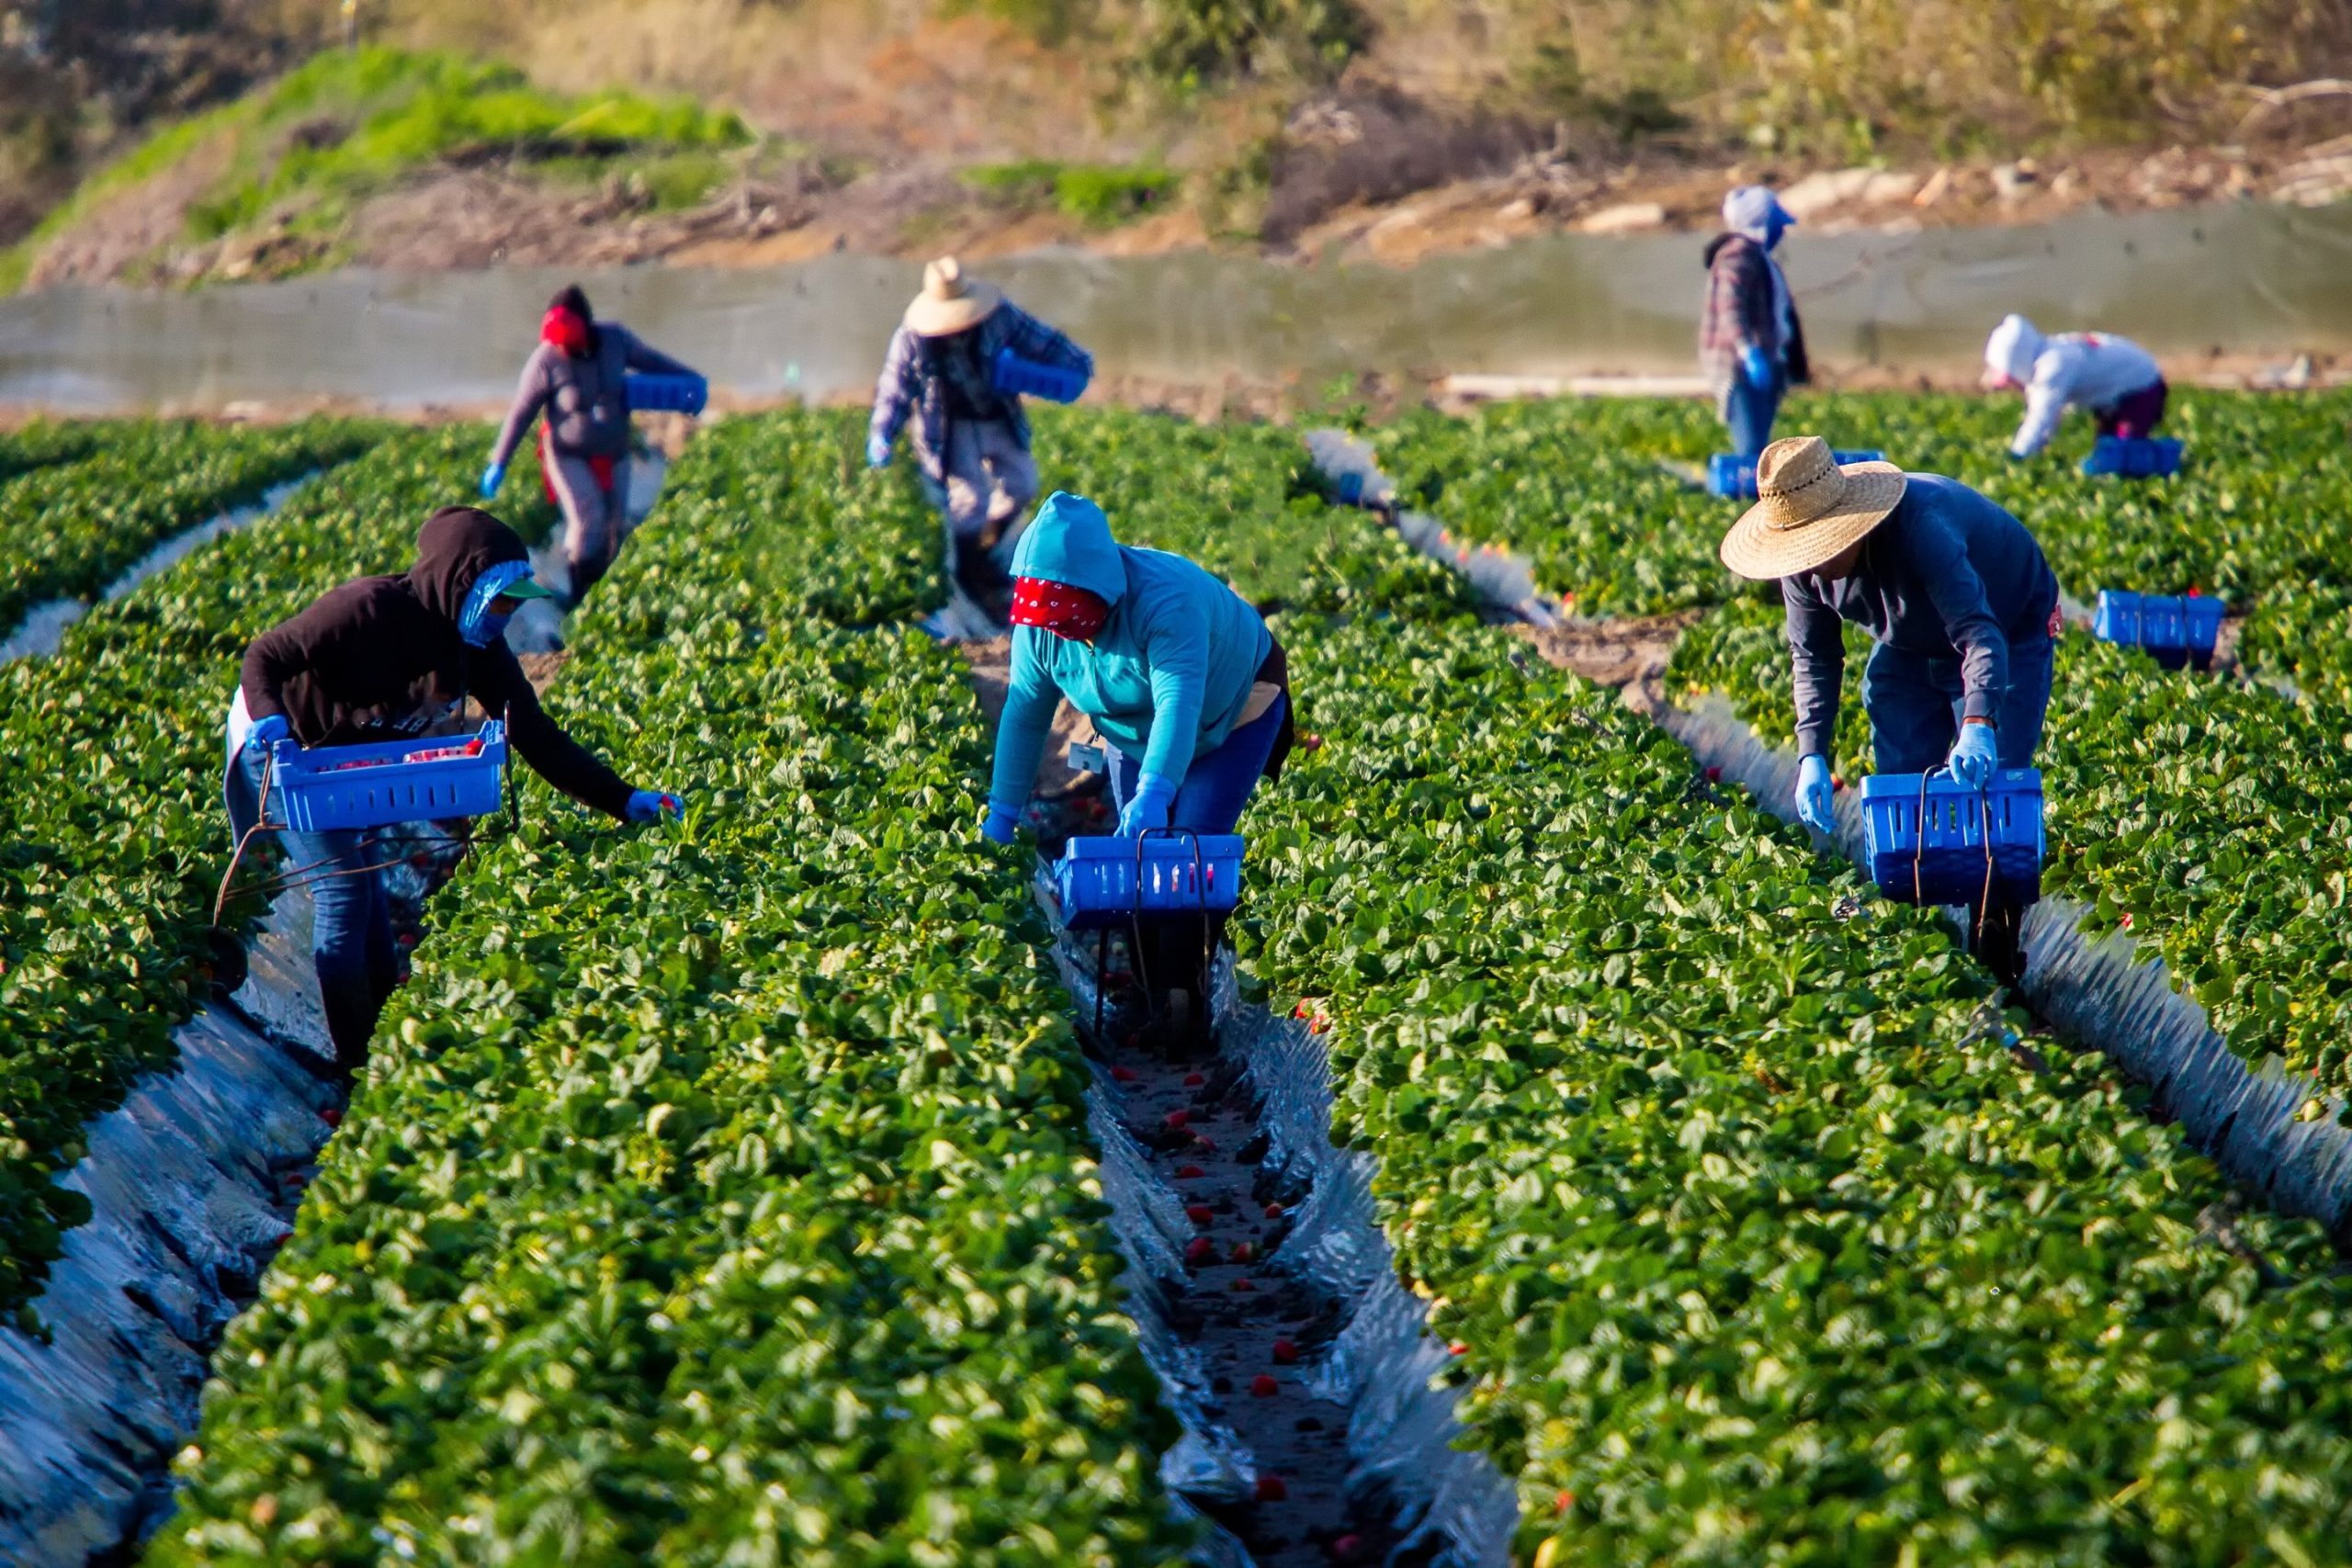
x: 375, y: 786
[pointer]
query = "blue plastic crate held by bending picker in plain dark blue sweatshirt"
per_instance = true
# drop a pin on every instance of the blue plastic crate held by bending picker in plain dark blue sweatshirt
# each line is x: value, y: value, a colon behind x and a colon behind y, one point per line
x: 1930, y: 836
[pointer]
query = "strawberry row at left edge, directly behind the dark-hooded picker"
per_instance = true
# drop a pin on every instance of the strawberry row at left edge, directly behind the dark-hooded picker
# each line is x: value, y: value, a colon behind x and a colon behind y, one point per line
x: 112, y: 798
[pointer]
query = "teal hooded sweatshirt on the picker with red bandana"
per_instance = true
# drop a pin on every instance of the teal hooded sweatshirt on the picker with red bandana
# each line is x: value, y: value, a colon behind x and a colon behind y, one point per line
x: 1168, y: 676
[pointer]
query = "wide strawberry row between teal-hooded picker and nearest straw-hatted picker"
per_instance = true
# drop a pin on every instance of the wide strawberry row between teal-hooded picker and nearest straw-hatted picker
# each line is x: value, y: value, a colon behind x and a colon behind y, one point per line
x: 1763, y: 1235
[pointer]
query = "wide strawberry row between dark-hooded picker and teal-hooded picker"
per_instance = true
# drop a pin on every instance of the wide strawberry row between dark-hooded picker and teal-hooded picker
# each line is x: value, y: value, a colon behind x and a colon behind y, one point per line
x: 721, y: 1193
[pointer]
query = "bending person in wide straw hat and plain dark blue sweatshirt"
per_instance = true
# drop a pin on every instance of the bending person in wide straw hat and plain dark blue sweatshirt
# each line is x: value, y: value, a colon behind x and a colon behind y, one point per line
x: 1951, y: 589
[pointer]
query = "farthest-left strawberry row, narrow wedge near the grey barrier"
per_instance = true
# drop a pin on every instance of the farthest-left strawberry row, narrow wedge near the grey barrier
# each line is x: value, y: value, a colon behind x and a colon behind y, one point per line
x: 67, y: 530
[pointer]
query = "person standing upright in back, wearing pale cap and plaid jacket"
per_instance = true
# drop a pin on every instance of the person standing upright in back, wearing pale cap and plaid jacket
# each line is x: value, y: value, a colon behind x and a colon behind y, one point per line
x: 1749, y: 337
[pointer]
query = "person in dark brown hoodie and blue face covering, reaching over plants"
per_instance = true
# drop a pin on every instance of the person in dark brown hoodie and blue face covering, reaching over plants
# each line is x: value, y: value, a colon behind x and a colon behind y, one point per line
x: 385, y: 659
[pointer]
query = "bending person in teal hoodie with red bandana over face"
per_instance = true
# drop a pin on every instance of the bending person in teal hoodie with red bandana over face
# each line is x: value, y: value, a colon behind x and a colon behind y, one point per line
x: 1180, y: 676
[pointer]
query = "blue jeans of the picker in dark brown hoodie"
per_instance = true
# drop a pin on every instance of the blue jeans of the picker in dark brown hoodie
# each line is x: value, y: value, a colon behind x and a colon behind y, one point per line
x: 352, y: 916
